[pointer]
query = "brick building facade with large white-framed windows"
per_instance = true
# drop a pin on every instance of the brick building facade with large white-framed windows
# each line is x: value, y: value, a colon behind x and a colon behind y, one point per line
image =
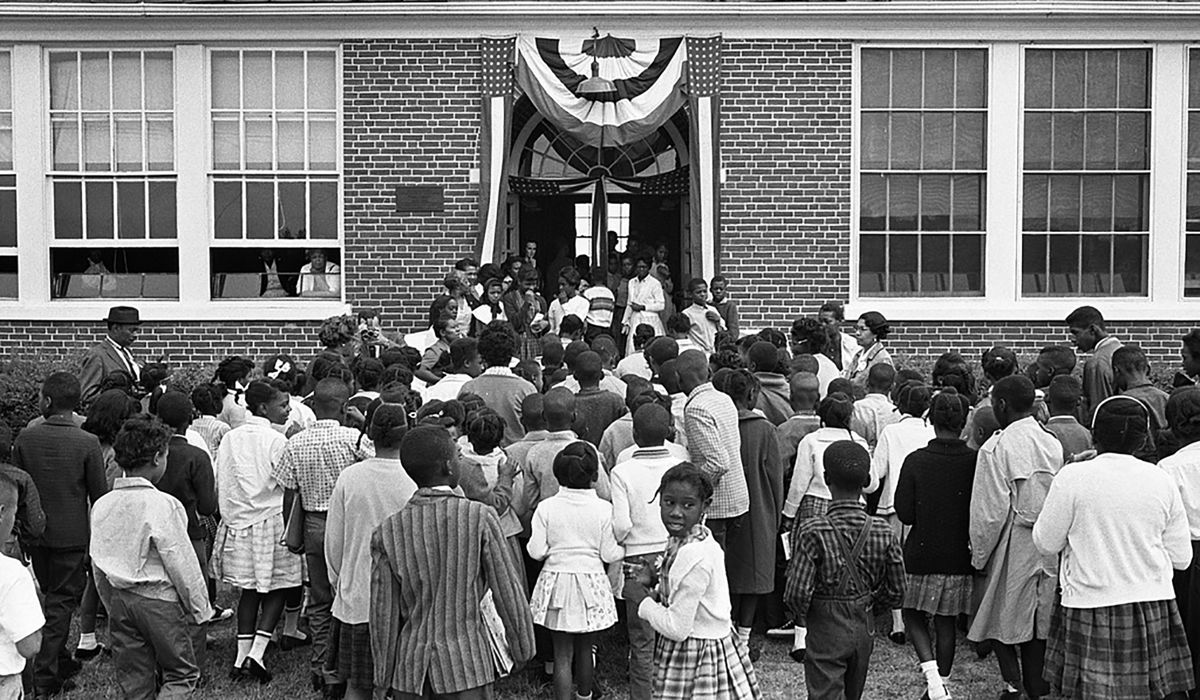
x: 974, y: 170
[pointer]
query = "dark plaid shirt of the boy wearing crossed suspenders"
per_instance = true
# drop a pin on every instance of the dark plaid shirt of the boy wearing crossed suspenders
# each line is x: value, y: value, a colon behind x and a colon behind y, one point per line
x: 819, y: 560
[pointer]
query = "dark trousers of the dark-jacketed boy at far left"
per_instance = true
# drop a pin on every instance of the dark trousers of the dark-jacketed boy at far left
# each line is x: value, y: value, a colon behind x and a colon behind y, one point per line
x: 61, y: 575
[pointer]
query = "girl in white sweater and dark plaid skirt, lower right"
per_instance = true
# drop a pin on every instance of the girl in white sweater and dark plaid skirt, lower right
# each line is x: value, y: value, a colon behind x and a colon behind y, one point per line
x: 1120, y: 527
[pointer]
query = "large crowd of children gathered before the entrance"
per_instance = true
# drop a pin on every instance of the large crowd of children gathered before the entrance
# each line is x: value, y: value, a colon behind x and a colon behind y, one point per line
x: 427, y: 517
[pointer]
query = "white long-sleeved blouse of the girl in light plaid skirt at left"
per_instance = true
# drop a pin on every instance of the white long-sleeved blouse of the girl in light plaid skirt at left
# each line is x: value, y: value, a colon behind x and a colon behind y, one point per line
x: 247, y: 490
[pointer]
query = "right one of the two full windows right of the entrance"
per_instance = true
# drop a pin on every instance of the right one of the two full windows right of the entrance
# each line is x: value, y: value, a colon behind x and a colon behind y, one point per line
x: 1087, y: 172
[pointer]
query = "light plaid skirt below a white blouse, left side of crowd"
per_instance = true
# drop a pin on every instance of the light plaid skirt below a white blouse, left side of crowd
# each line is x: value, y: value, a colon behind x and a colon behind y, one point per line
x: 253, y: 558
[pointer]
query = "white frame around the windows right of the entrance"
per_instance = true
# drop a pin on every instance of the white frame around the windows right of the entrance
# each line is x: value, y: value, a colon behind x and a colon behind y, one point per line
x: 1003, y: 300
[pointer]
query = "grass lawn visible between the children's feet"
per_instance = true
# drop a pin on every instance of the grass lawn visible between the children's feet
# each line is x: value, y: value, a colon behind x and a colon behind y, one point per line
x: 893, y: 674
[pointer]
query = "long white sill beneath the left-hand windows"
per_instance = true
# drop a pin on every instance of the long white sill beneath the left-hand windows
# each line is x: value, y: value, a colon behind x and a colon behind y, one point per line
x: 94, y: 310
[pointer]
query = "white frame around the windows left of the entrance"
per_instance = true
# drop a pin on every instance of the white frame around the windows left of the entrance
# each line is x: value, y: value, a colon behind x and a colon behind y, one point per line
x: 35, y: 216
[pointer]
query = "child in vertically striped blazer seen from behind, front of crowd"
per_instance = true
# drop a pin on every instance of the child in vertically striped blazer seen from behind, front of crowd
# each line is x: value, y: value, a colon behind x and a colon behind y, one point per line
x: 430, y: 563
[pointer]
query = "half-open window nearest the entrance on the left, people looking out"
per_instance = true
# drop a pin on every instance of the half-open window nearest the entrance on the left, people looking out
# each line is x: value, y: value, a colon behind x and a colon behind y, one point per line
x: 275, y: 167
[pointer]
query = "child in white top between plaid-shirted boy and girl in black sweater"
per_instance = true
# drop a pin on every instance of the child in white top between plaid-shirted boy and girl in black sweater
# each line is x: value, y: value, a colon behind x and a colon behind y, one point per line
x: 897, y: 442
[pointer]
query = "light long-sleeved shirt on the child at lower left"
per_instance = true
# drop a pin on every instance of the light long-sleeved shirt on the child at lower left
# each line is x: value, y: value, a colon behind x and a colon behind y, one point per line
x: 140, y: 543
